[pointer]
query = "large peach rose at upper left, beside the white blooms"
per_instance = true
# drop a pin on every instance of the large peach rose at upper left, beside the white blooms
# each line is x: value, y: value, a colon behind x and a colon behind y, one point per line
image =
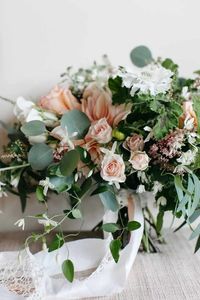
x: 59, y: 100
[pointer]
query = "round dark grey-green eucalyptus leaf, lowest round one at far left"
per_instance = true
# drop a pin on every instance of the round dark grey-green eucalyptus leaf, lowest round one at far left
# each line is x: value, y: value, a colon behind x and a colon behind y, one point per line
x: 40, y: 156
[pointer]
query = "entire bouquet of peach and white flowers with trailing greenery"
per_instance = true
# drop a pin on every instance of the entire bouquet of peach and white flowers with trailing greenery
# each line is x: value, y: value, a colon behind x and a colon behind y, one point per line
x: 107, y: 131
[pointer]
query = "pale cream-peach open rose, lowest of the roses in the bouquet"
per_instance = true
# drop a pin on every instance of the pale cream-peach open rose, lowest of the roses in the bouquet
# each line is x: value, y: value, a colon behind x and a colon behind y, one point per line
x: 113, y: 168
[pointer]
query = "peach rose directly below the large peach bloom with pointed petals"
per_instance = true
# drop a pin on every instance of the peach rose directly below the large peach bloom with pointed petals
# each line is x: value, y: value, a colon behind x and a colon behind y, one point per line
x: 100, y: 131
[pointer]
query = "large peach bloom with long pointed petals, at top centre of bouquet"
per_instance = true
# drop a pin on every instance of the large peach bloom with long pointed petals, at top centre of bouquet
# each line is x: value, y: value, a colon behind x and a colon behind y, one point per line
x: 97, y: 104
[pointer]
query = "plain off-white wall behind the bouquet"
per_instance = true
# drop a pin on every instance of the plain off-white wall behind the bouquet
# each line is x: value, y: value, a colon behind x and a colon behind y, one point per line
x: 39, y: 38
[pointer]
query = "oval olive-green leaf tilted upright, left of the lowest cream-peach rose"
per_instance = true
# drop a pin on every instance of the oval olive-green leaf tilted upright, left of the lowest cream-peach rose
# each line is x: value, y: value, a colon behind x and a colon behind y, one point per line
x: 69, y: 162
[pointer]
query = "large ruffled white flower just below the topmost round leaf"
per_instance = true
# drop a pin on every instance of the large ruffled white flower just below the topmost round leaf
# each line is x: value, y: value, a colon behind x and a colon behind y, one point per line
x: 153, y: 79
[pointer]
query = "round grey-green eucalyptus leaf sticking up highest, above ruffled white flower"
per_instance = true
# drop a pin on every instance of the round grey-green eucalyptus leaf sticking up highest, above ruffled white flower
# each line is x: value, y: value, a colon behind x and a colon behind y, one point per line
x: 141, y: 56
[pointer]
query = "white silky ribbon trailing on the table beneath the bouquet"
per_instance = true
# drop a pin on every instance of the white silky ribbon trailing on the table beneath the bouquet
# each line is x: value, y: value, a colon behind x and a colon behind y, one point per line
x: 106, y: 277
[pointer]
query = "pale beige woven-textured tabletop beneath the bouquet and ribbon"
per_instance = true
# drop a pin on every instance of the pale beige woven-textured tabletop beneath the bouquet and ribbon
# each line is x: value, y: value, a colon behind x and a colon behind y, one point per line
x: 173, y: 274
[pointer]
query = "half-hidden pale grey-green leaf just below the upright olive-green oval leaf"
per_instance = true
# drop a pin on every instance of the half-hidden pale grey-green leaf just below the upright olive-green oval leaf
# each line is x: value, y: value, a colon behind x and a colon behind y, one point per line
x: 62, y: 184
